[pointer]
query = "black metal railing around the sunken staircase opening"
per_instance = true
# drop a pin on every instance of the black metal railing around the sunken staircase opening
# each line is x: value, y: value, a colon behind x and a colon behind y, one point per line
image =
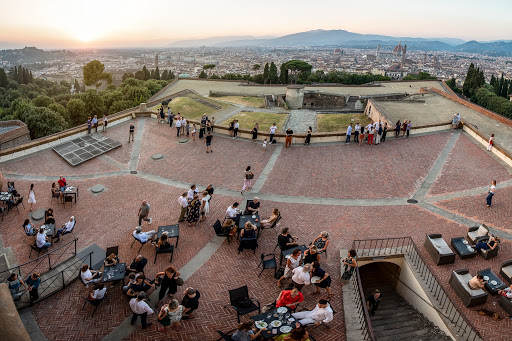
x: 405, y: 246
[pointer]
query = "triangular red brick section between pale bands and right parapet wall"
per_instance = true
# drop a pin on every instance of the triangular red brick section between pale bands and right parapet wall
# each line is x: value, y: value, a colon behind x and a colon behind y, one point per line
x: 468, y: 166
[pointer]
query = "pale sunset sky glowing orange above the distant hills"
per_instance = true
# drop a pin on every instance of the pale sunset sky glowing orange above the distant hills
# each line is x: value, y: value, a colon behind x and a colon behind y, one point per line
x: 131, y: 23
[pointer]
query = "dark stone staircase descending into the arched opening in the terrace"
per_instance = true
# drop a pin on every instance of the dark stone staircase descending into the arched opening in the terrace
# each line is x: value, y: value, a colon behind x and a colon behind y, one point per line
x: 395, y: 319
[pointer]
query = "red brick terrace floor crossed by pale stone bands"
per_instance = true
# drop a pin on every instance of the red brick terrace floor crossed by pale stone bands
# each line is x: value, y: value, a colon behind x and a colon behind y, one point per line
x: 353, y: 192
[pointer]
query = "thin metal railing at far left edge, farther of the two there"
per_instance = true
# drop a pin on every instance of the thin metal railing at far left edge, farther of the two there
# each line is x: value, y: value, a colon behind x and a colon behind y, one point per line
x: 42, y: 263
